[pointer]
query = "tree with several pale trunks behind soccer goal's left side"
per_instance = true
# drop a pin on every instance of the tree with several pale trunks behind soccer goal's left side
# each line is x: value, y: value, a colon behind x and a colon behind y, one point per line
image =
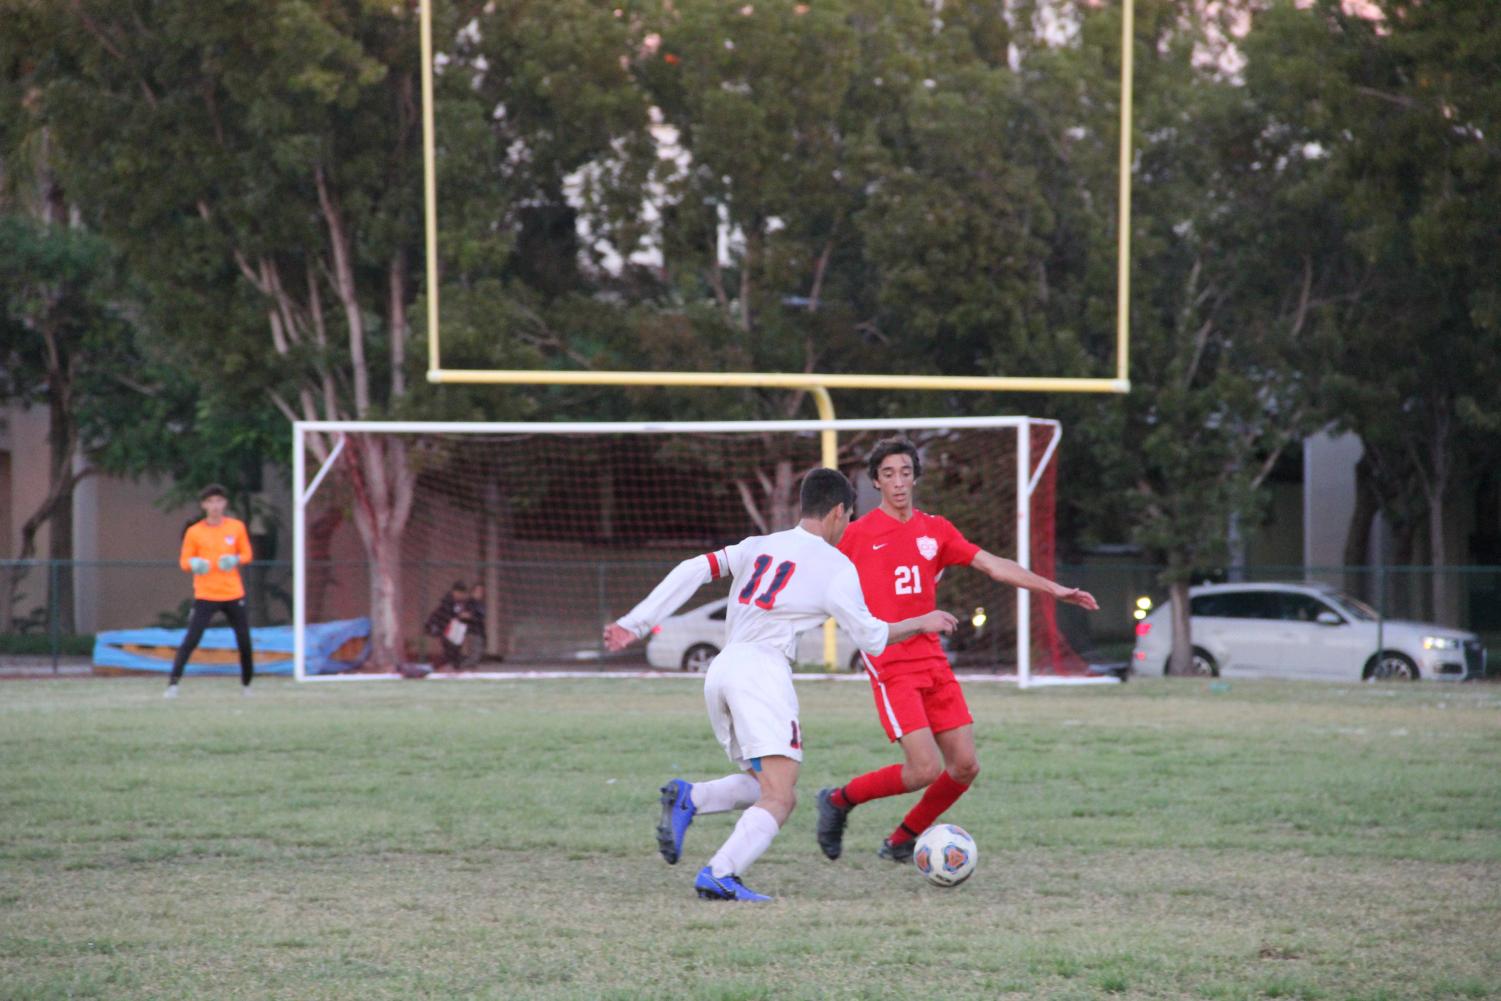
x: 262, y: 170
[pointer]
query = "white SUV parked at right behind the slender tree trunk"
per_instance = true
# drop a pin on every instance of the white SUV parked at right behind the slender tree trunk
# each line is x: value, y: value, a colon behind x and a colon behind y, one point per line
x: 1304, y: 631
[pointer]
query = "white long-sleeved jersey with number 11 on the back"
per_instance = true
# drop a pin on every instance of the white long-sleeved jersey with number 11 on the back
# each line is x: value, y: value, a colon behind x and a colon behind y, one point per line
x: 781, y: 586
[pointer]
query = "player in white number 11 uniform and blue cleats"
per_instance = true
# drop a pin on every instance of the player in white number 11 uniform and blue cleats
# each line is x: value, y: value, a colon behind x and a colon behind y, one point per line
x: 783, y: 585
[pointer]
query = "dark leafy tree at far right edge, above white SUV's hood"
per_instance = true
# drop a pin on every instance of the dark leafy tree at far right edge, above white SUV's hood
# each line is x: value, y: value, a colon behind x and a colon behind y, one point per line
x: 1406, y: 107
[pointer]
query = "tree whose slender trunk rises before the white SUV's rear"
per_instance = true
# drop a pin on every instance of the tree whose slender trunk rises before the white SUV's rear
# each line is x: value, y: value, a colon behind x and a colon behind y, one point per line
x: 1229, y: 316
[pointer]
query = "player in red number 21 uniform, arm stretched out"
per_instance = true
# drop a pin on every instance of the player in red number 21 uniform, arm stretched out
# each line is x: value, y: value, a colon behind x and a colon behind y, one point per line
x: 900, y: 553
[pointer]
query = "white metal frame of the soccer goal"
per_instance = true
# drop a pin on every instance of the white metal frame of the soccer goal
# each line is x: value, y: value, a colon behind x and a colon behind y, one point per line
x: 304, y: 490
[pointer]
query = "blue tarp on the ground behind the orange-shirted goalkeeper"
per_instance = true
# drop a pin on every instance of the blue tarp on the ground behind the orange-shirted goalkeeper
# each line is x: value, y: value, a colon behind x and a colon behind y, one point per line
x: 323, y: 642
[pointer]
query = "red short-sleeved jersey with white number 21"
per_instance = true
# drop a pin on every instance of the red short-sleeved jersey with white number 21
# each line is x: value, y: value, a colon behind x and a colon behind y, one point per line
x: 900, y: 565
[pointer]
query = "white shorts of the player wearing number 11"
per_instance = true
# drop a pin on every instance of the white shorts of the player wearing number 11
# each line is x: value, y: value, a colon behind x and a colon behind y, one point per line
x: 753, y: 706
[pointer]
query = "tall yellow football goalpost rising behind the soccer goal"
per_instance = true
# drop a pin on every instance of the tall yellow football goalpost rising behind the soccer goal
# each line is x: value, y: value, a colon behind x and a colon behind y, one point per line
x: 814, y: 383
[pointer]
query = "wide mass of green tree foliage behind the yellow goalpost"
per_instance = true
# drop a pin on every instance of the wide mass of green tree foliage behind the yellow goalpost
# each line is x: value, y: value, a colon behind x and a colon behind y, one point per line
x: 847, y: 185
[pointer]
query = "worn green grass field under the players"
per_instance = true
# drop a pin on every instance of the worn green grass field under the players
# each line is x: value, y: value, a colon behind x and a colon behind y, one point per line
x: 495, y: 841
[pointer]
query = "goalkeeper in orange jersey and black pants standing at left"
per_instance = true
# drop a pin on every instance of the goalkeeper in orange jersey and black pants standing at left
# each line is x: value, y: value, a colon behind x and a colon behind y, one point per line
x: 214, y: 552
